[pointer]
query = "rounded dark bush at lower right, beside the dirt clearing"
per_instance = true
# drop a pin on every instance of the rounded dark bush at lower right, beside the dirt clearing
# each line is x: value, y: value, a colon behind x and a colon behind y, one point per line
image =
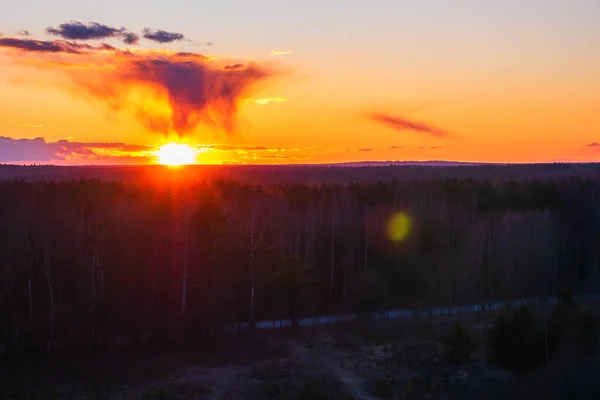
x: 515, y: 342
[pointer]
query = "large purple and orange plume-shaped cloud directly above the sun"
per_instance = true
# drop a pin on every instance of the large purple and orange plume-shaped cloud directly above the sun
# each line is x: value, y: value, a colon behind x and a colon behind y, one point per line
x: 194, y: 91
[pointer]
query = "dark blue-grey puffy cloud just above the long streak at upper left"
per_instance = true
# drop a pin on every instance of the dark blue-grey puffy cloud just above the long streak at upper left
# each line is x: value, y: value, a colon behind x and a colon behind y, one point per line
x: 75, y: 30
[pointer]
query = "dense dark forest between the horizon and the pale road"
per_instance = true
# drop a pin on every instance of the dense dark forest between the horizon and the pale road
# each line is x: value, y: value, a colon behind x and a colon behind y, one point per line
x: 89, y: 264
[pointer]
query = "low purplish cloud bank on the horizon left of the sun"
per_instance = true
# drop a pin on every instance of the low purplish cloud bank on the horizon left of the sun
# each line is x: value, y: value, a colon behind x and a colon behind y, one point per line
x: 38, y: 150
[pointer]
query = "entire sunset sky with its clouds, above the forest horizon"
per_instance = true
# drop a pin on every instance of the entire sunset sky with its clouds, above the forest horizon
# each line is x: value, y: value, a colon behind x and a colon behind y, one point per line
x: 300, y: 82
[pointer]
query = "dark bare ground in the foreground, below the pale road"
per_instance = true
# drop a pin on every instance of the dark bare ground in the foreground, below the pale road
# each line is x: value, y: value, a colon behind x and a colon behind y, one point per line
x: 368, y: 362
